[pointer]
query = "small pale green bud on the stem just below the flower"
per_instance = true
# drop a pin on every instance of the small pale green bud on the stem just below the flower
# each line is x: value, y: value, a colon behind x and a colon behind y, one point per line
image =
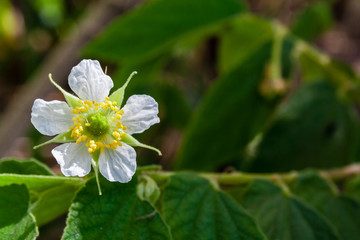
x: 147, y: 189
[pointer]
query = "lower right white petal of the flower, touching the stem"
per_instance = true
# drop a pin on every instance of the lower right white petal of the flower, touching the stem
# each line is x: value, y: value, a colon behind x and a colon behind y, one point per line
x: 118, y: 165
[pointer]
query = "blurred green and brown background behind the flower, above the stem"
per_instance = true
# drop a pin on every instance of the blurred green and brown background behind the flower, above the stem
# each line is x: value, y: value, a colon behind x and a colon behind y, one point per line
x: 234, y: 93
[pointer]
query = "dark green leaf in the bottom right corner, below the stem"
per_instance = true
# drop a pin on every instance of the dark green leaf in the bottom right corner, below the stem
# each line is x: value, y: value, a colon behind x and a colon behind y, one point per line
x: 341, y: 211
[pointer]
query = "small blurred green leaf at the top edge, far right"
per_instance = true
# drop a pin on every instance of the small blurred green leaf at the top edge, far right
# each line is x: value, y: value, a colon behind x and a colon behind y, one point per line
x: 314, y: 20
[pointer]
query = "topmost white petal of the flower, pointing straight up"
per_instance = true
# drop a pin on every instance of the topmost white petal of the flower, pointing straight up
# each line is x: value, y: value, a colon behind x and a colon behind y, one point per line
x: 89, y: 82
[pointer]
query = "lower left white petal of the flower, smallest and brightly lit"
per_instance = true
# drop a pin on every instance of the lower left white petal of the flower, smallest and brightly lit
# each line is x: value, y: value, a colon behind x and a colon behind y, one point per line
x: 74, y: 159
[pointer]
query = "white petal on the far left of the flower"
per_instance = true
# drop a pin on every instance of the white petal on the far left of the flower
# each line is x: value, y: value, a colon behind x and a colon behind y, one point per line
x: 51, y: 118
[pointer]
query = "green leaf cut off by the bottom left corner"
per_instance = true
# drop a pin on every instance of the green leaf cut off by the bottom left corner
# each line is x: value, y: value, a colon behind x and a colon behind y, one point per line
x: 15, y: 221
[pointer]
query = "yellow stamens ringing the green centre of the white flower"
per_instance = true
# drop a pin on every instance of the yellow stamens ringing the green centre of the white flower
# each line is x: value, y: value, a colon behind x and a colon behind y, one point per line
x: 98, y: 124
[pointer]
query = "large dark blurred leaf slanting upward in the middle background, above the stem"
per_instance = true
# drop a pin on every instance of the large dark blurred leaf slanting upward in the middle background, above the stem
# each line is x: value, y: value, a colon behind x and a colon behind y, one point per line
x: 230, y: 115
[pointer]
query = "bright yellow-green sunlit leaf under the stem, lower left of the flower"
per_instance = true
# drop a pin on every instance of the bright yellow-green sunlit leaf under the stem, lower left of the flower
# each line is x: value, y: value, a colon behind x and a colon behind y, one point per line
x: 51, y: 196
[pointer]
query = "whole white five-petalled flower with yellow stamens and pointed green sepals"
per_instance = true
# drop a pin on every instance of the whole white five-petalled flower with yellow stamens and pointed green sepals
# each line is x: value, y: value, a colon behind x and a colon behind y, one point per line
x: 93, y: 128
